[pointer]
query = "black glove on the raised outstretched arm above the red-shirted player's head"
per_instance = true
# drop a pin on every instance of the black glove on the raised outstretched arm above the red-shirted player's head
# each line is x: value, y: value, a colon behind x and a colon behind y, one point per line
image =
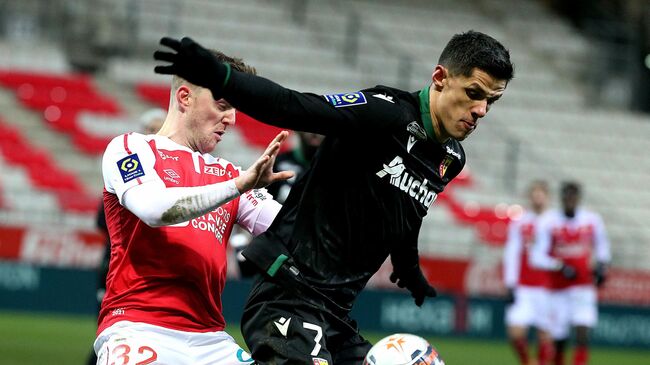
x: 193, y: 63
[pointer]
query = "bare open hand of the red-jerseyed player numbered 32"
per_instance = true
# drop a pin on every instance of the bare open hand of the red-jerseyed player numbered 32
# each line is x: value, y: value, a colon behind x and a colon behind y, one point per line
x: 260, y: 173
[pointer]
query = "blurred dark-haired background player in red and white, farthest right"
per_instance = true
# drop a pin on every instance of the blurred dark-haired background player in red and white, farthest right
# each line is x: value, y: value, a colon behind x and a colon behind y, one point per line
x: 567, y: 242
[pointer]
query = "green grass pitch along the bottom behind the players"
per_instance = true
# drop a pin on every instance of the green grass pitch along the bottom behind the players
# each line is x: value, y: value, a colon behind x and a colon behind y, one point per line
x: 36, y: 339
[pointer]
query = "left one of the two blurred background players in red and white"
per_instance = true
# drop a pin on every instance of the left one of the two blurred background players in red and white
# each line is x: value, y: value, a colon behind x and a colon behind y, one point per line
x: 528, y: 292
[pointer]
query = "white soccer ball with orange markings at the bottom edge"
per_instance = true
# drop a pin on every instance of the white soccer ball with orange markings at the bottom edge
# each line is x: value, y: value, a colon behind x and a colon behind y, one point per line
x: 403, y: 349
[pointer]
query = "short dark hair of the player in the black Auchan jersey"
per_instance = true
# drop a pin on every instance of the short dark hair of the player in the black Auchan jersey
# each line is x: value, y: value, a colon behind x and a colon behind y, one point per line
x: 472, y: 49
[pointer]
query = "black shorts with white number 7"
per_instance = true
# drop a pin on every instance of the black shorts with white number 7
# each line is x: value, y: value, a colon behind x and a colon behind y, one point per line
x: 294, y: 326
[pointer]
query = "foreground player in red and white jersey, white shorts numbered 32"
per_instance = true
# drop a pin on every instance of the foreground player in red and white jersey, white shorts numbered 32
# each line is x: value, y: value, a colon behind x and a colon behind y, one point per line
x: 170, y: 208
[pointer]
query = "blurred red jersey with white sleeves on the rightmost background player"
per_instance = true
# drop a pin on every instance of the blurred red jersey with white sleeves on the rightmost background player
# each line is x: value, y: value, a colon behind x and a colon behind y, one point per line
x: 571, y: 241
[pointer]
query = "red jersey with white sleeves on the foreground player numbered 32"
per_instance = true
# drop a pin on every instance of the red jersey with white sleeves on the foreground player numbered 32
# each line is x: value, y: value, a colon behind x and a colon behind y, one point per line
x: 170, y: 276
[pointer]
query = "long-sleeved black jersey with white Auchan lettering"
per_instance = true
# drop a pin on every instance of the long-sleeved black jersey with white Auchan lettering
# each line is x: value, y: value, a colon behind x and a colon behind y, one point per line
x: 372, y: 181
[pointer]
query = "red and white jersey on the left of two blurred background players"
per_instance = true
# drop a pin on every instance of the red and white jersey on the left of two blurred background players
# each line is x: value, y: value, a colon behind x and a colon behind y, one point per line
x: 517, y: 269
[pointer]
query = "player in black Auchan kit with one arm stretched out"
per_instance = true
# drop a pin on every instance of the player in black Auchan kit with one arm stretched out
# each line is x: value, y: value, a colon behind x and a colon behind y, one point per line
x: 386, y: 155
